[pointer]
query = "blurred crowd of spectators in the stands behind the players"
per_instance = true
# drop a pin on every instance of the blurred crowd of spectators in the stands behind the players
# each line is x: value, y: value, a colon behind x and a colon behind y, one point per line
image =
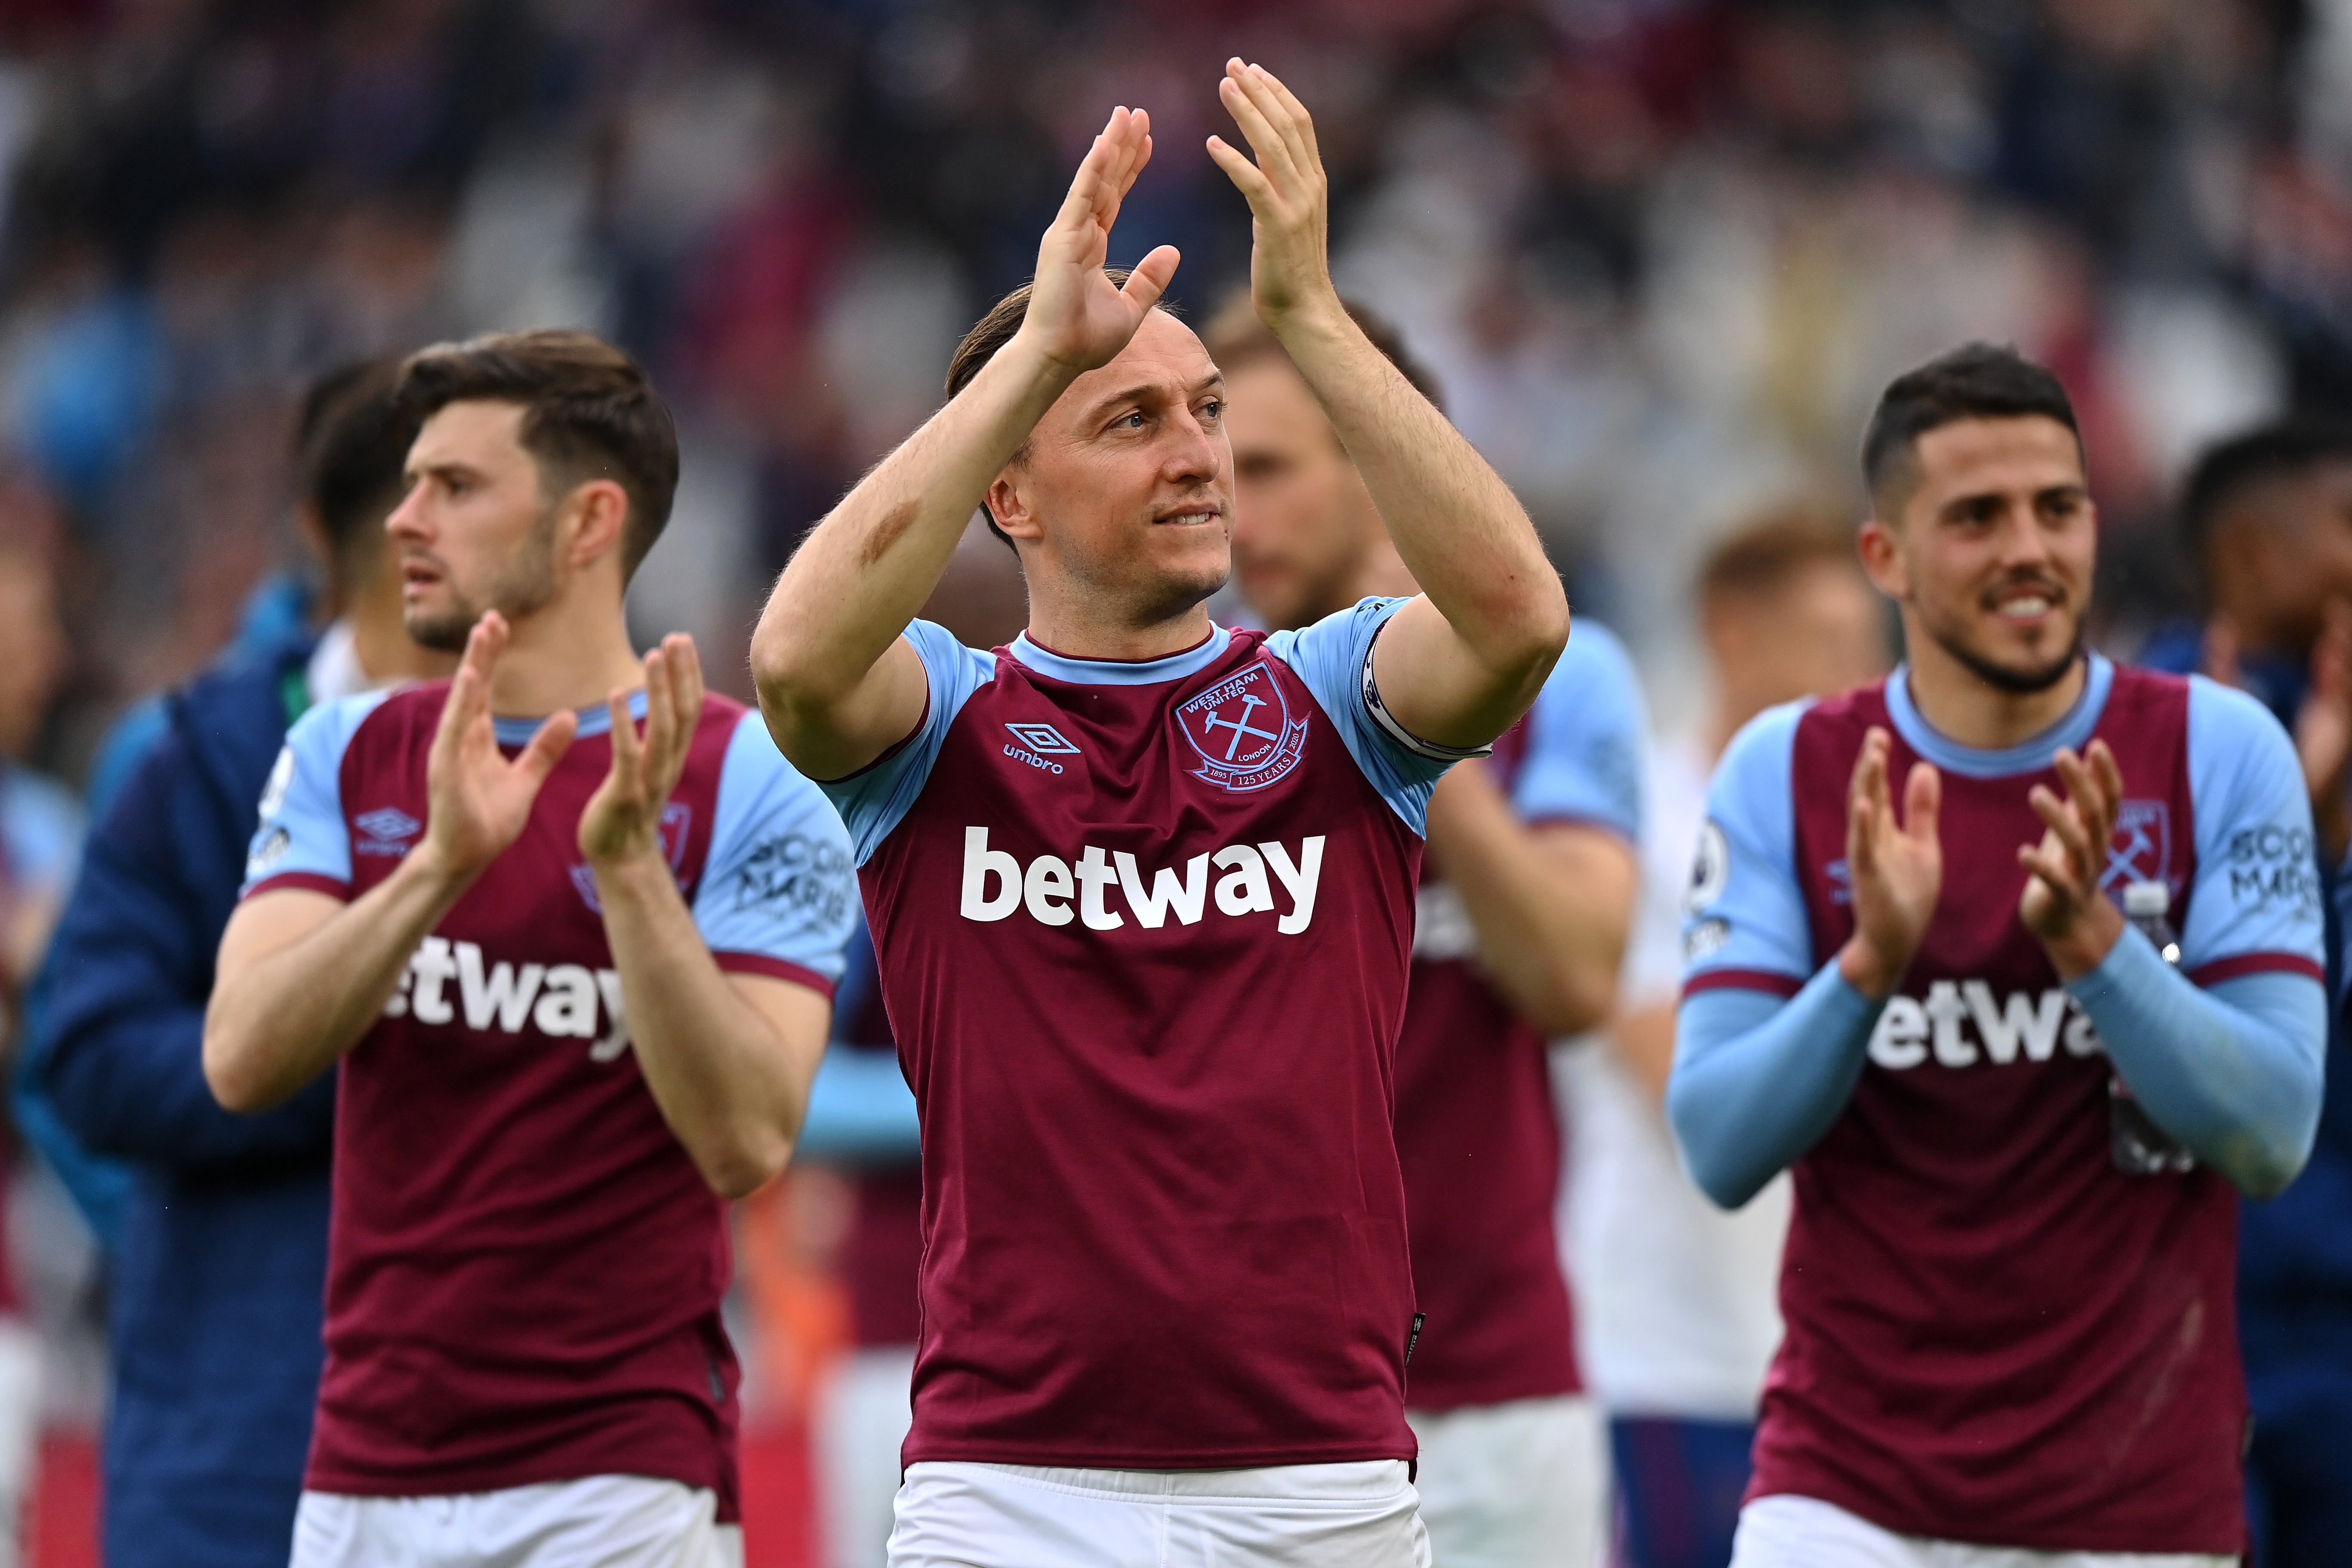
x: 1659, y: 253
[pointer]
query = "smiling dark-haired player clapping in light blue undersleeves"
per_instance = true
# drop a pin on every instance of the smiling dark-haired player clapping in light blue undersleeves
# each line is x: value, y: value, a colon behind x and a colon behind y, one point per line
x: 2014, y: 1118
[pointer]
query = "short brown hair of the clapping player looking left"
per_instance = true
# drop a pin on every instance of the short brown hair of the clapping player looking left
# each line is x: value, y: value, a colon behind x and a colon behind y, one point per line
x: 589, y: 413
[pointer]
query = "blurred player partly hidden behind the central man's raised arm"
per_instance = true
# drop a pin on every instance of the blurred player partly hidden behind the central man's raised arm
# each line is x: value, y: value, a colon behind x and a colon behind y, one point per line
x: 1518, y: 937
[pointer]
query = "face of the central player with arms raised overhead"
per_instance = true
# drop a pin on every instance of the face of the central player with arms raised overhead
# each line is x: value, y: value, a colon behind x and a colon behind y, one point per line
x: 1125, y: 488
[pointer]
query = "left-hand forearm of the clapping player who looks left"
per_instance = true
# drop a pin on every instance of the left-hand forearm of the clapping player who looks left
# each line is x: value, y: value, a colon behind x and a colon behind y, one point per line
x: 283, y: 1017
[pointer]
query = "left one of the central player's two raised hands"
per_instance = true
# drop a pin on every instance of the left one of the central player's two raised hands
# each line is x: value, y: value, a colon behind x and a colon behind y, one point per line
x: 1076, y: 316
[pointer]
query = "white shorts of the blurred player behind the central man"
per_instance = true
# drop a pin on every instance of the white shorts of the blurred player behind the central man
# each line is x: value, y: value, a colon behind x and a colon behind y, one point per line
x: 1521, y: 1485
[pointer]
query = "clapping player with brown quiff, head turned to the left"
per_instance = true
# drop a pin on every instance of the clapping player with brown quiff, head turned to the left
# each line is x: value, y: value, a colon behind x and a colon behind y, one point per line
x: 580, y: 984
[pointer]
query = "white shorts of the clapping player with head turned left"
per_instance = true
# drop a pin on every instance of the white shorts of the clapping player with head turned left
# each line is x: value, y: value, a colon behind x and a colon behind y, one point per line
x: 596, y: 1522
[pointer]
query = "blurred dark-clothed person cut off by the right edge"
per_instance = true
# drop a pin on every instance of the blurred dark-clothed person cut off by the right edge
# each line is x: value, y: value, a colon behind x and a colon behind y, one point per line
x: 2269, y: 521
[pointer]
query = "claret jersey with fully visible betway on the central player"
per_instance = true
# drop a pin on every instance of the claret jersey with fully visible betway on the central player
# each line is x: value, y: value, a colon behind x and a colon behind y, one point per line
x: 1144, y: 937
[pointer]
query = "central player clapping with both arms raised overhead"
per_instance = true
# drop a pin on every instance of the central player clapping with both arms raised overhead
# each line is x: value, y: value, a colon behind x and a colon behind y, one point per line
x: 1144, y: 897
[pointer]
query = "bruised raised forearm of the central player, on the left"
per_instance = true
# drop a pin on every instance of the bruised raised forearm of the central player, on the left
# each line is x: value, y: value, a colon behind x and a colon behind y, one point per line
x: 869, y: 568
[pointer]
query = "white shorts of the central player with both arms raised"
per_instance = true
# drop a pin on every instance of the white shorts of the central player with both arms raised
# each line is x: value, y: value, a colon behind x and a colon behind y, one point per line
x: 1281, y: 1517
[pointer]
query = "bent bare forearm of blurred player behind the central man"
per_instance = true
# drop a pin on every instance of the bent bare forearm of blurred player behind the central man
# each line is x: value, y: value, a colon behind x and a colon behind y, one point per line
x: 1551, y: 909
